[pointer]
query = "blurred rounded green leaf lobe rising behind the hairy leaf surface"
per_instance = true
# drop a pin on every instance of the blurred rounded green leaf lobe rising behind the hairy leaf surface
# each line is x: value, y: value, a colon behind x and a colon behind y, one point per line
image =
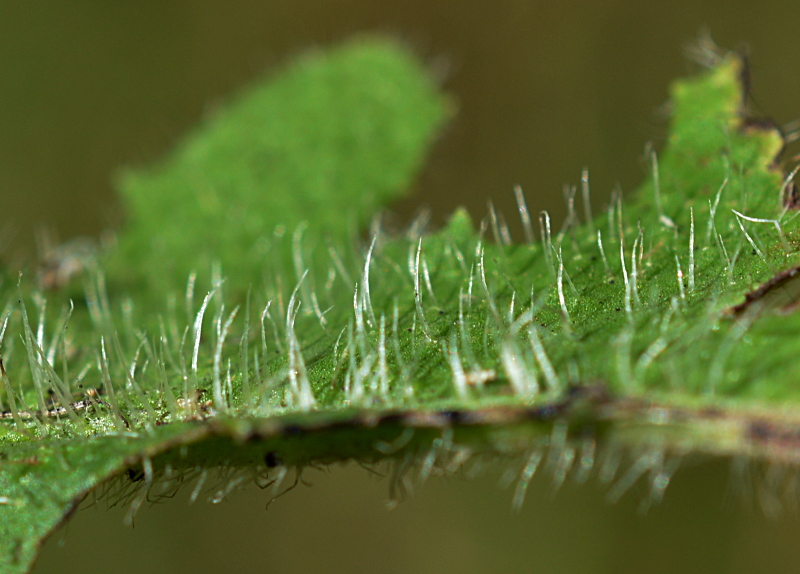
x: 348, y: 127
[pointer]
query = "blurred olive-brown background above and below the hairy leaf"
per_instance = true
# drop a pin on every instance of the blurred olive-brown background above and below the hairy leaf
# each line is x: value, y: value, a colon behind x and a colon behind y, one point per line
x: 544, y: 88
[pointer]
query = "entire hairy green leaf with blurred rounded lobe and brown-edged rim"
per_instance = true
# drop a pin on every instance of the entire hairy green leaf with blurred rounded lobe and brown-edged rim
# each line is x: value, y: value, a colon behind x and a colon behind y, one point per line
x: 240, y: 323
